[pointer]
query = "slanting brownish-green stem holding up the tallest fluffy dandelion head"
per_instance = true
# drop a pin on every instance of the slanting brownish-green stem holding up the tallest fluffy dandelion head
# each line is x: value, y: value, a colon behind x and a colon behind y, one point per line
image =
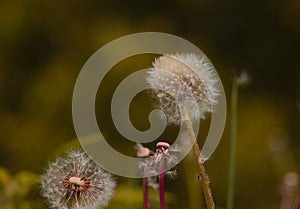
x: 203, y: 175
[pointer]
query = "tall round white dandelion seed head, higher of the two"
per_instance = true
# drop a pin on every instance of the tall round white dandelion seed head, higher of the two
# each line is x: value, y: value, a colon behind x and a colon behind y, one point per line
x: 183, y: 80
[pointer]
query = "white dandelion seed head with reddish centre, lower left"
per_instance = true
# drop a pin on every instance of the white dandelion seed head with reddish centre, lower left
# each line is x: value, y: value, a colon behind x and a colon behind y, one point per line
x: 76, y: 181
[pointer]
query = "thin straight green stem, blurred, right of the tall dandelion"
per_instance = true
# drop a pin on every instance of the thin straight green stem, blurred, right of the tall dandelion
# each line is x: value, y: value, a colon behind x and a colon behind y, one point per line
x: 232, y: 145
